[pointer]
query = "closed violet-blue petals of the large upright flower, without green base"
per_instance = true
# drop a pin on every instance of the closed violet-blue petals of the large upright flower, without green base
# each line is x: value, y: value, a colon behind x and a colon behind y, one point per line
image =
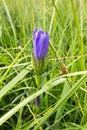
x: 40, y: 44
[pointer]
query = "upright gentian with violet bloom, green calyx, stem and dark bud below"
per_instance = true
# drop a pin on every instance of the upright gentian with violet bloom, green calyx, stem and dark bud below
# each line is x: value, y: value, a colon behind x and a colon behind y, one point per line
x: 40, y: 49
